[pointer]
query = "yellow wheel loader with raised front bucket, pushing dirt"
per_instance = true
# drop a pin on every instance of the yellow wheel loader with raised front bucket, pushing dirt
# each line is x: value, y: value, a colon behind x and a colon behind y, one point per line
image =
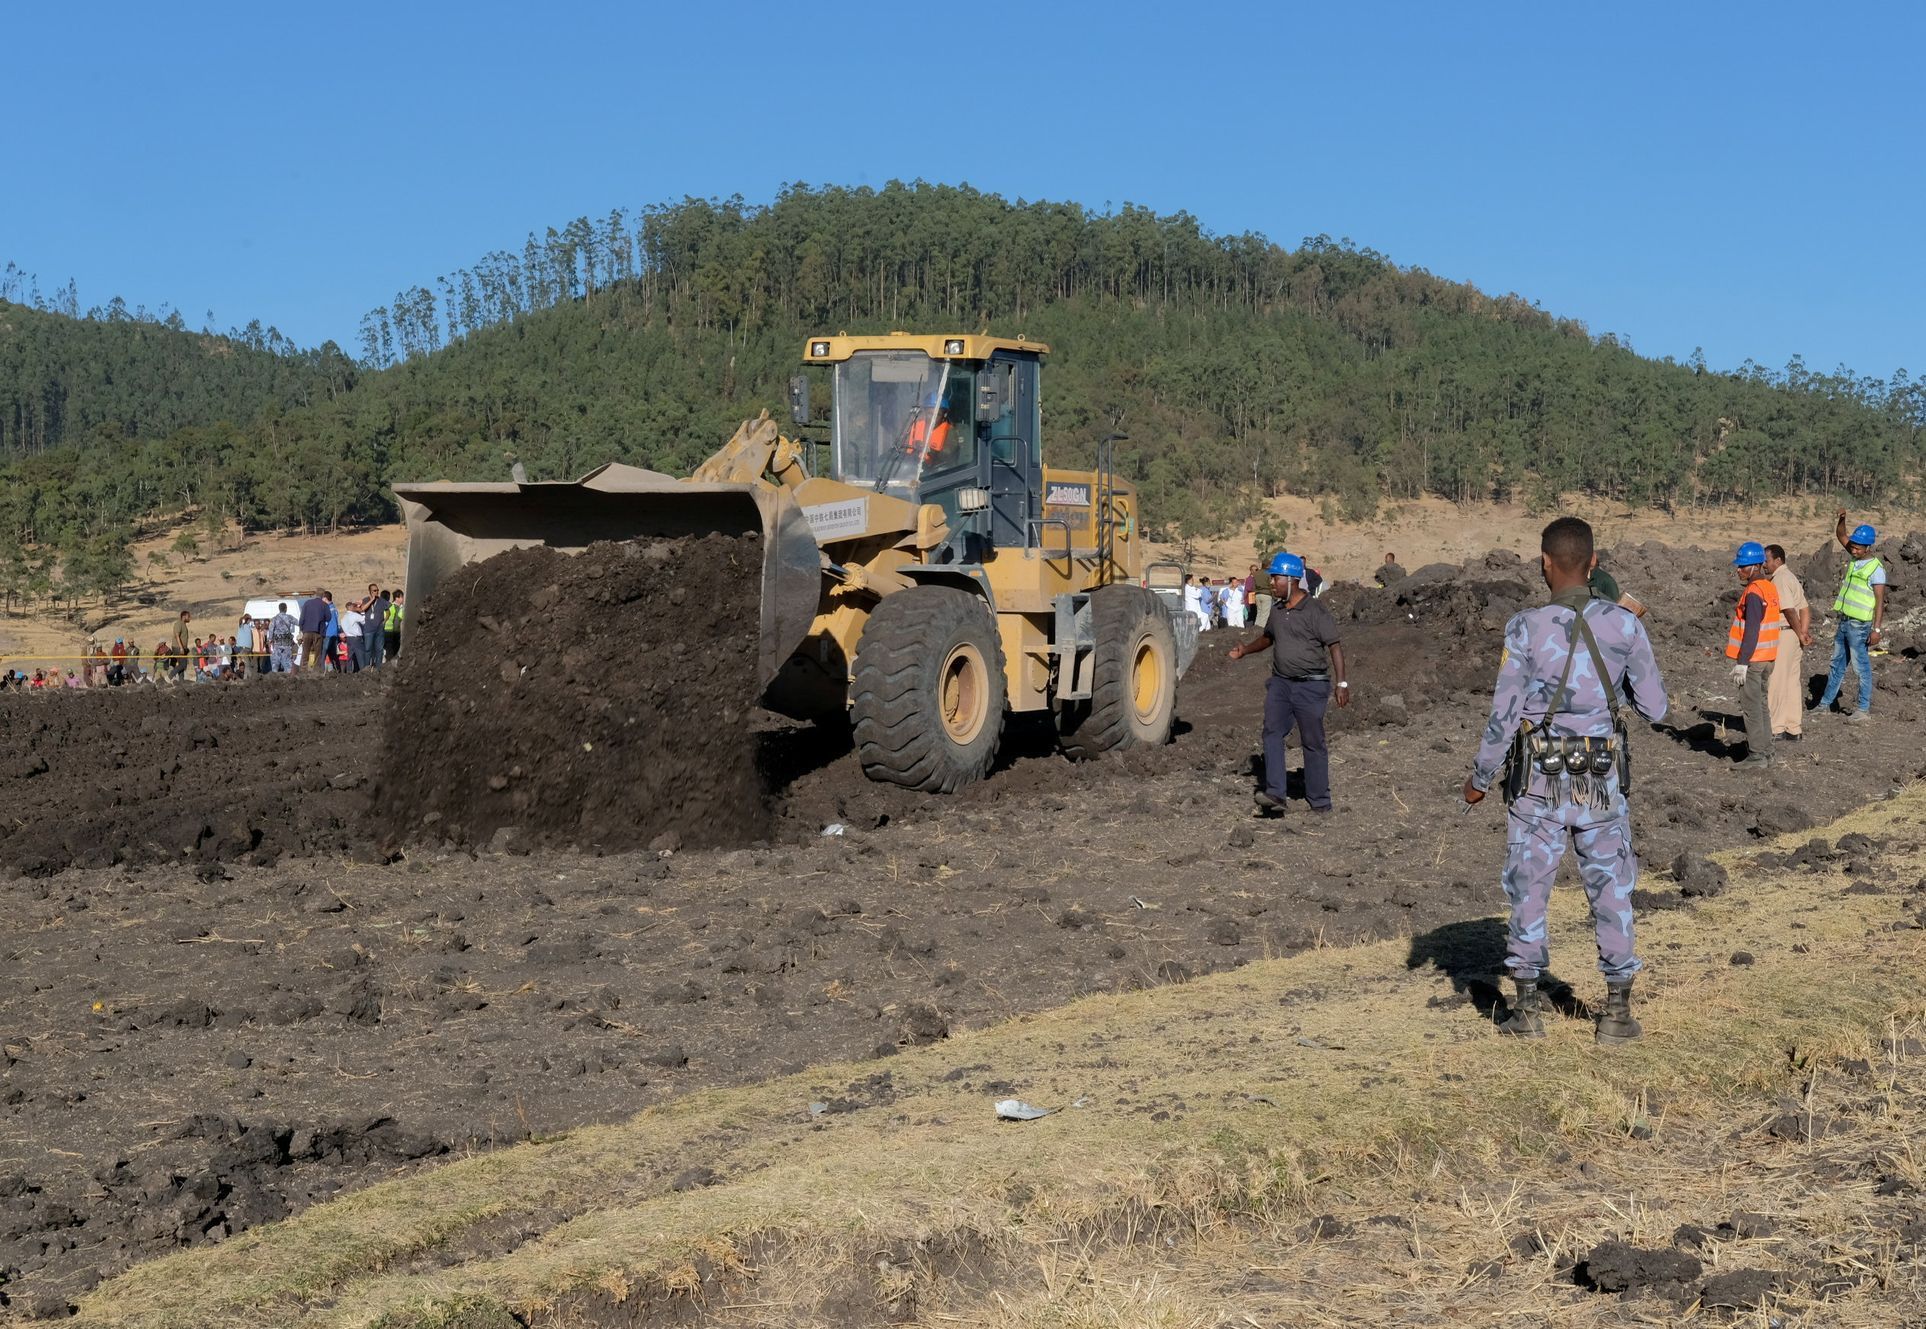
x: 924, y: 573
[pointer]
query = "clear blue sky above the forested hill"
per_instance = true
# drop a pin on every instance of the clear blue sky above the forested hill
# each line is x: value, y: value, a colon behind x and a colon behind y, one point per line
x: 1750, y: 178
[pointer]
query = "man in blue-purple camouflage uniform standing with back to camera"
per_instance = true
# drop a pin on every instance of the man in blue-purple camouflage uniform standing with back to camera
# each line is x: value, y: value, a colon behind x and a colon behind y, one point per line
x: 1549, y: 679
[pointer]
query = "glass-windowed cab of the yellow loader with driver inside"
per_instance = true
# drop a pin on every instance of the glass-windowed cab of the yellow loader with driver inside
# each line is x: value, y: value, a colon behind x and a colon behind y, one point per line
x: 947, y: 421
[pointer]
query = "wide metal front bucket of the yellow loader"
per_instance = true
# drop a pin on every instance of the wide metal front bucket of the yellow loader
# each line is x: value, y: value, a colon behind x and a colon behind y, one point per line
x: 452, y: 525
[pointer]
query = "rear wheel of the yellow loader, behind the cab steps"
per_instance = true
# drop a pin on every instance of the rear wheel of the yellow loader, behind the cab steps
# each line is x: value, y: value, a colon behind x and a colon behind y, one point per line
x: 1133, y: 694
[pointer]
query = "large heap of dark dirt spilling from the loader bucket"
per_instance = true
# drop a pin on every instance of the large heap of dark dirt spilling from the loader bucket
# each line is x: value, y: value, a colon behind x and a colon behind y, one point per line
x: 598, y: 700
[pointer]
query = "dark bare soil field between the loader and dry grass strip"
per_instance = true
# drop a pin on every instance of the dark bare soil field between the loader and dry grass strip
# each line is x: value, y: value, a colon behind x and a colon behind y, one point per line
x: 230, y: 1004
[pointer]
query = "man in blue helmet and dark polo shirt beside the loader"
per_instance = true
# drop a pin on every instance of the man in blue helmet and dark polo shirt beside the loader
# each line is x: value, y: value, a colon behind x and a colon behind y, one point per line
x: 1307, y: 662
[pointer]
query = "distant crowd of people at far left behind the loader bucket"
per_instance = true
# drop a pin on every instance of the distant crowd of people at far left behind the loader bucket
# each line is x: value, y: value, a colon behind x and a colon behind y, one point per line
x: 305, y: 637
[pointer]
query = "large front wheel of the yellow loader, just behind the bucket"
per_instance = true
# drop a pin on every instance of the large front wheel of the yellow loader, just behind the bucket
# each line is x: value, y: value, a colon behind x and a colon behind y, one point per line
x: 929, y: 698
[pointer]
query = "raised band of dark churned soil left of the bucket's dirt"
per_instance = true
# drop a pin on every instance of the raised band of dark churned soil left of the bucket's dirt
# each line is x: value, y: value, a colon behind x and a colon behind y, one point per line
x: 199, y: 773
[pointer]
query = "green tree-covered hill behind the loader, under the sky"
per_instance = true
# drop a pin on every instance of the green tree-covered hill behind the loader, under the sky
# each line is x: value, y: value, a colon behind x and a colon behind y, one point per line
x: 1236, y: 367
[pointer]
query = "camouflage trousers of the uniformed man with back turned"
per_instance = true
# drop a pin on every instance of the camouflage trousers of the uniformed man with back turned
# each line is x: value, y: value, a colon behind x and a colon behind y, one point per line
x: 1536, y: 837
